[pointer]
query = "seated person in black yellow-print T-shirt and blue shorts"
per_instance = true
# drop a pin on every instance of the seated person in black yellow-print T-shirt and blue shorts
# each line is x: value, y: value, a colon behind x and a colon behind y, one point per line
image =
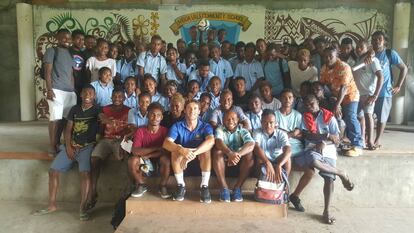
x: 80, y: 137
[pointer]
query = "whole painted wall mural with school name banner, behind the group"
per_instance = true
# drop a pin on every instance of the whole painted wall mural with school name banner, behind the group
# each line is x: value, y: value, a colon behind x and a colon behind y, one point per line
x: 242, y: 22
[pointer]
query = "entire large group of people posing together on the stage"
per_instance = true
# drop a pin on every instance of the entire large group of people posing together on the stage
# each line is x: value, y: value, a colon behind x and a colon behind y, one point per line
x: 250, y: 105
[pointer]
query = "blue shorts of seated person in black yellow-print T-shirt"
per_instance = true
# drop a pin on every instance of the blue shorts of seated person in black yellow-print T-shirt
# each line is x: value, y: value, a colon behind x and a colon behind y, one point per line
x: 62, y: 163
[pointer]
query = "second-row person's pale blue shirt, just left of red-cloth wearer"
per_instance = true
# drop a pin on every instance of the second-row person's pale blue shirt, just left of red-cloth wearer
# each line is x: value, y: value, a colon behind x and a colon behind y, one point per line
x: 289, y: 123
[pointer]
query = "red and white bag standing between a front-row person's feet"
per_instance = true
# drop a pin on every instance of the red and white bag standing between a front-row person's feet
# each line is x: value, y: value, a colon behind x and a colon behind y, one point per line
x: 271, y: 192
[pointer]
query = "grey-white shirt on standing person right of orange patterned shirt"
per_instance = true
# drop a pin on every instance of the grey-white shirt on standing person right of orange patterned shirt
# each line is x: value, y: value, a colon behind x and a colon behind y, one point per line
x: 365, y: 77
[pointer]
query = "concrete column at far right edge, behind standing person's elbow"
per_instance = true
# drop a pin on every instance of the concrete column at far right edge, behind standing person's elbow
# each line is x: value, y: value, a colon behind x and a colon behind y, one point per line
x: 400, y: 38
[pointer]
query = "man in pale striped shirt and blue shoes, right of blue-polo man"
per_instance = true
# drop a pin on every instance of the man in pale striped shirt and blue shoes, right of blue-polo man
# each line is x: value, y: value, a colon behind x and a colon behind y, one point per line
x: 234, y: 146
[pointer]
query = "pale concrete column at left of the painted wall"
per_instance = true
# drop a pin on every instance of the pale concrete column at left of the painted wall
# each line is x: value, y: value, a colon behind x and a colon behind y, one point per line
x: 24, y: 13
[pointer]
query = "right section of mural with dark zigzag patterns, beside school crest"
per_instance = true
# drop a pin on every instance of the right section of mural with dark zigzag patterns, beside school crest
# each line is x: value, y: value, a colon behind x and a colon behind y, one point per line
x: 297, y: 25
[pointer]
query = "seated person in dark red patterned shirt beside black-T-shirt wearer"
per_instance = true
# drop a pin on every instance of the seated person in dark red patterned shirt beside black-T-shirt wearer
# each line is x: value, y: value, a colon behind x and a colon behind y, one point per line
x: 115, y: 119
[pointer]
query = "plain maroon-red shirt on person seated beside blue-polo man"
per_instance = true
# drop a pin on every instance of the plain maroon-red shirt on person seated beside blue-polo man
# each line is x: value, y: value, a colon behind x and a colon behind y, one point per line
x: 145, y: 139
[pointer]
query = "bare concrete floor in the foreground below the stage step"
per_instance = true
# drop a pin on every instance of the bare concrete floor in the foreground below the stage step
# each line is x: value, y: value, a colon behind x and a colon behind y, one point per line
x: 379, y: 220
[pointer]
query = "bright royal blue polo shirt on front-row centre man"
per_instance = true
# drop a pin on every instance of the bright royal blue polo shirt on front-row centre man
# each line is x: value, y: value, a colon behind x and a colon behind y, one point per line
x: 181, y: 135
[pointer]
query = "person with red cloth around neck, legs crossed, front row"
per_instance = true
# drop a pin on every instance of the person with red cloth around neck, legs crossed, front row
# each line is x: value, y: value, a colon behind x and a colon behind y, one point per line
x: 321, y: 133
